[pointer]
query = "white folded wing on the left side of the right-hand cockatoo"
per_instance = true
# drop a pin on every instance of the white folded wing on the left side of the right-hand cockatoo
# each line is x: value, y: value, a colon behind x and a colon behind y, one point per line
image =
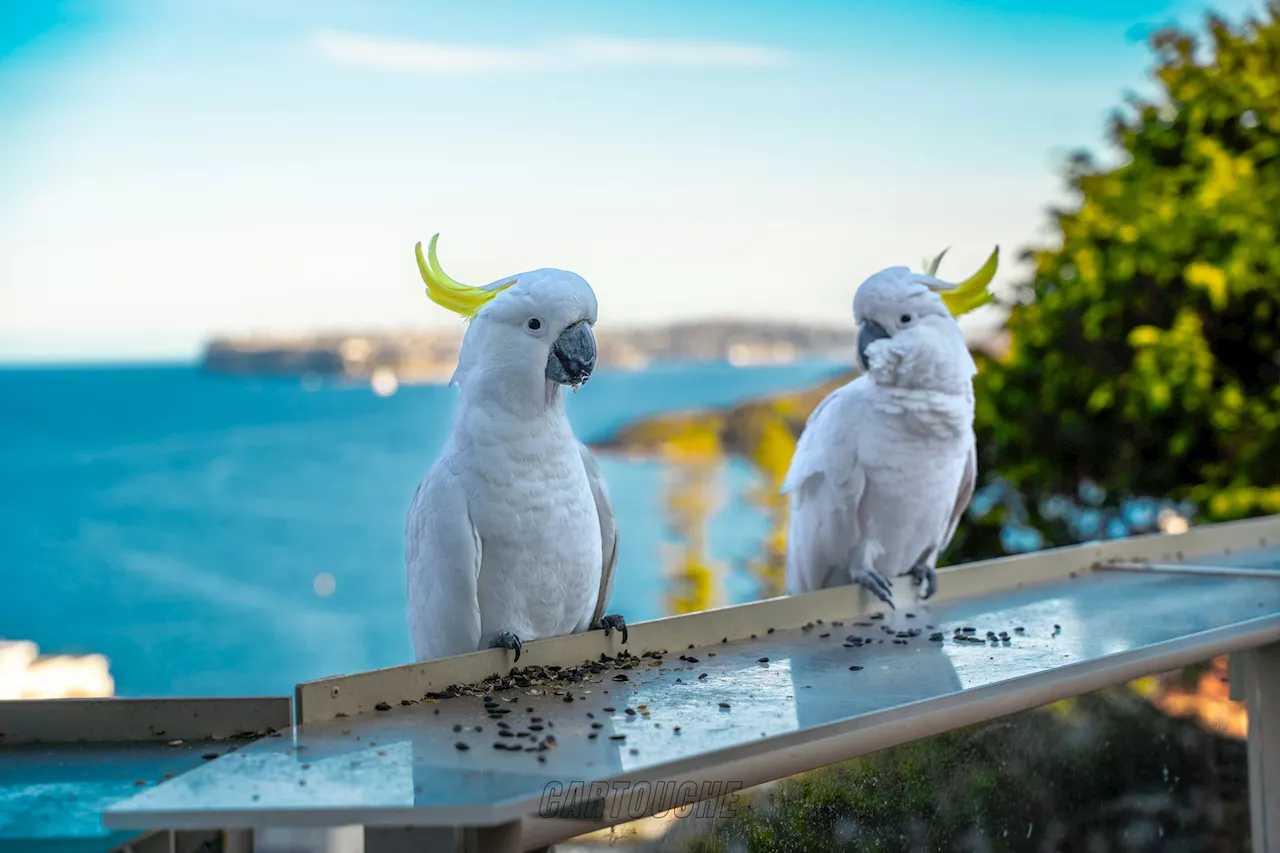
x: 826, y: 485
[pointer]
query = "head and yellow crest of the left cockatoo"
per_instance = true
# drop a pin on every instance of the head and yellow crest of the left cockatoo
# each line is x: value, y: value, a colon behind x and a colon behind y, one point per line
x: 529, y: 335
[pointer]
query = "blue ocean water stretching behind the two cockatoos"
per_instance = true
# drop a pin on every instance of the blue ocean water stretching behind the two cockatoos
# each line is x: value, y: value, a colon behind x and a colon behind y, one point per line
x: 177, y: 522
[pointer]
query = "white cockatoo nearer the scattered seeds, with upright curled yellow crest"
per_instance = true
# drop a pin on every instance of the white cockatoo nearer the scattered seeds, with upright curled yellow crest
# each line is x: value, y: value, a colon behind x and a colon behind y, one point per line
x: 511, y: 536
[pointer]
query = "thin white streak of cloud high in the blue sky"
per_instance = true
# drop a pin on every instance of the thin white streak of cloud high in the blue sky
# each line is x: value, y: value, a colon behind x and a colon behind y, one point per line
x: 447, y: 58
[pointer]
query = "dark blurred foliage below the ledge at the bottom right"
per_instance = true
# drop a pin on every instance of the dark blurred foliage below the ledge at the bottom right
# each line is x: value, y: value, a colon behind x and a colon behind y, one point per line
x: 1104, y: 772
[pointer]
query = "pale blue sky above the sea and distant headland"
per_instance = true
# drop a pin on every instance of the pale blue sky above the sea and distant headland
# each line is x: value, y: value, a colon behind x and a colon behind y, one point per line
x: 172, y: 171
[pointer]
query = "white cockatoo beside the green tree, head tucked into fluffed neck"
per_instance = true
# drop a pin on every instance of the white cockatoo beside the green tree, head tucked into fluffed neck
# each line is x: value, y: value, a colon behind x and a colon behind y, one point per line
x: 886, y: 466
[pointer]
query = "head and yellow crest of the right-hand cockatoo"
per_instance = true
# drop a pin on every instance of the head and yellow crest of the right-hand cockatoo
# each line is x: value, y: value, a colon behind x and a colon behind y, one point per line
x: 908, y: 335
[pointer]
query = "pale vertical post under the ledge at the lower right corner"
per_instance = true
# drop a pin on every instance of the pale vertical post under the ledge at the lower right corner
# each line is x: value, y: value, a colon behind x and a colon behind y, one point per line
x: 1263, y: 703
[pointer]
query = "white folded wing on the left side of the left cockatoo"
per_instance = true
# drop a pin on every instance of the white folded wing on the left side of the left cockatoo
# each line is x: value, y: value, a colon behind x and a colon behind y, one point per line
x: 442, y: 550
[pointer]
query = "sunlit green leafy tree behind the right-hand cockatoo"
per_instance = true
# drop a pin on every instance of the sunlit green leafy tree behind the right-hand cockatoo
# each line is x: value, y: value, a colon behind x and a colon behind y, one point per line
x: 1146, y: 350
